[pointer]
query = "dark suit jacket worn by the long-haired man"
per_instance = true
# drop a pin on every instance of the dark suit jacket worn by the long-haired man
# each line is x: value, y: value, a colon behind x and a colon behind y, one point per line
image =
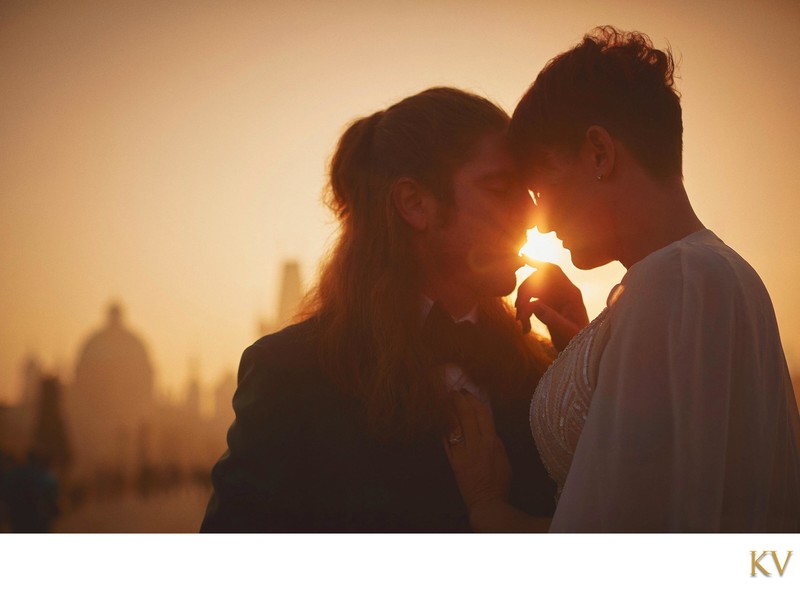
x: 299, y: 459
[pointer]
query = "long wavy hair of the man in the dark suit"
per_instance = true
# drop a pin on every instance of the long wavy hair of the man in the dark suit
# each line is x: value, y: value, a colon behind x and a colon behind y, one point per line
x: 367, y: 298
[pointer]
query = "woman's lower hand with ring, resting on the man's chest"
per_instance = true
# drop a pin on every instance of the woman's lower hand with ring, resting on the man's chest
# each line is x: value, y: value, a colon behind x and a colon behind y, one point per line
x: 477, y: 455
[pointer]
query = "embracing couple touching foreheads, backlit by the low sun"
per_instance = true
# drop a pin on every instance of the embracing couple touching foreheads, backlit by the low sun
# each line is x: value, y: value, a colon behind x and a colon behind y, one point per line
x: 411, y: 398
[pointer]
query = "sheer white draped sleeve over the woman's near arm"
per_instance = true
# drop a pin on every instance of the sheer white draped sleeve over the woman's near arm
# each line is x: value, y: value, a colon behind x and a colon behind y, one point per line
x: 651, y: 454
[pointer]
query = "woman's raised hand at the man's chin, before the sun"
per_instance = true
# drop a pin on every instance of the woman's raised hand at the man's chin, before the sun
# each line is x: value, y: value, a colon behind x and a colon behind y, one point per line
x: 549, y: 295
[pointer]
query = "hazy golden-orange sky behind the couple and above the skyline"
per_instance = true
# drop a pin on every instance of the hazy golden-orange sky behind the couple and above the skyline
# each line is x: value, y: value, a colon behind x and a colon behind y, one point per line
x: 172, y: 155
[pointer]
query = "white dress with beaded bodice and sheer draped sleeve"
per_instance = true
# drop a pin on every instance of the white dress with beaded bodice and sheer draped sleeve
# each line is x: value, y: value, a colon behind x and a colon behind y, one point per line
x: 673, y: 411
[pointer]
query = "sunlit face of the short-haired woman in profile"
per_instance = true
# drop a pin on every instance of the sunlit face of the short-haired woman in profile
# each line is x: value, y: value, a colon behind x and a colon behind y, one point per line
x: 571, y: 201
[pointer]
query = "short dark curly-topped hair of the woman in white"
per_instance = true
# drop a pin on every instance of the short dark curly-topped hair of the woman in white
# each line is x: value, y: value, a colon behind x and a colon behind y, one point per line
x: 614, y: 79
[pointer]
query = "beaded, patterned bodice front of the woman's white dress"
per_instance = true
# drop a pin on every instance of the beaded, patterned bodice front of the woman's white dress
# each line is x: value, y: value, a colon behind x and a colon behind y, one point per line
x: 561, y: 401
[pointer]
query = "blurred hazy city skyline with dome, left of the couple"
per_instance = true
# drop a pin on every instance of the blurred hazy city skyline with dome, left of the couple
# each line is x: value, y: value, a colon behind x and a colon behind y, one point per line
x: 104, y: 449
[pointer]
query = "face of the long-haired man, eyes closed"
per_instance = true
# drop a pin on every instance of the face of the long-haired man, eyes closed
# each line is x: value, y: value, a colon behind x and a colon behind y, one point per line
x: 477, y: 242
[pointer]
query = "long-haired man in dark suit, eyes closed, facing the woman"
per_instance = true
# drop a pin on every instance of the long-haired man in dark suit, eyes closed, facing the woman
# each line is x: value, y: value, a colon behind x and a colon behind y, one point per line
x: 340, y: 418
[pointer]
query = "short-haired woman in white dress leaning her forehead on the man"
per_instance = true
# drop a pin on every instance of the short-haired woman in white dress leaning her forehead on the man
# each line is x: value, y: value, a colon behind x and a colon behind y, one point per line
x: 672, y: 411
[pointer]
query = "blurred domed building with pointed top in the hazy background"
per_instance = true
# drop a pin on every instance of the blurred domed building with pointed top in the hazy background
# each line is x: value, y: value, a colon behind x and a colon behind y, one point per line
x: 112, y: 398
